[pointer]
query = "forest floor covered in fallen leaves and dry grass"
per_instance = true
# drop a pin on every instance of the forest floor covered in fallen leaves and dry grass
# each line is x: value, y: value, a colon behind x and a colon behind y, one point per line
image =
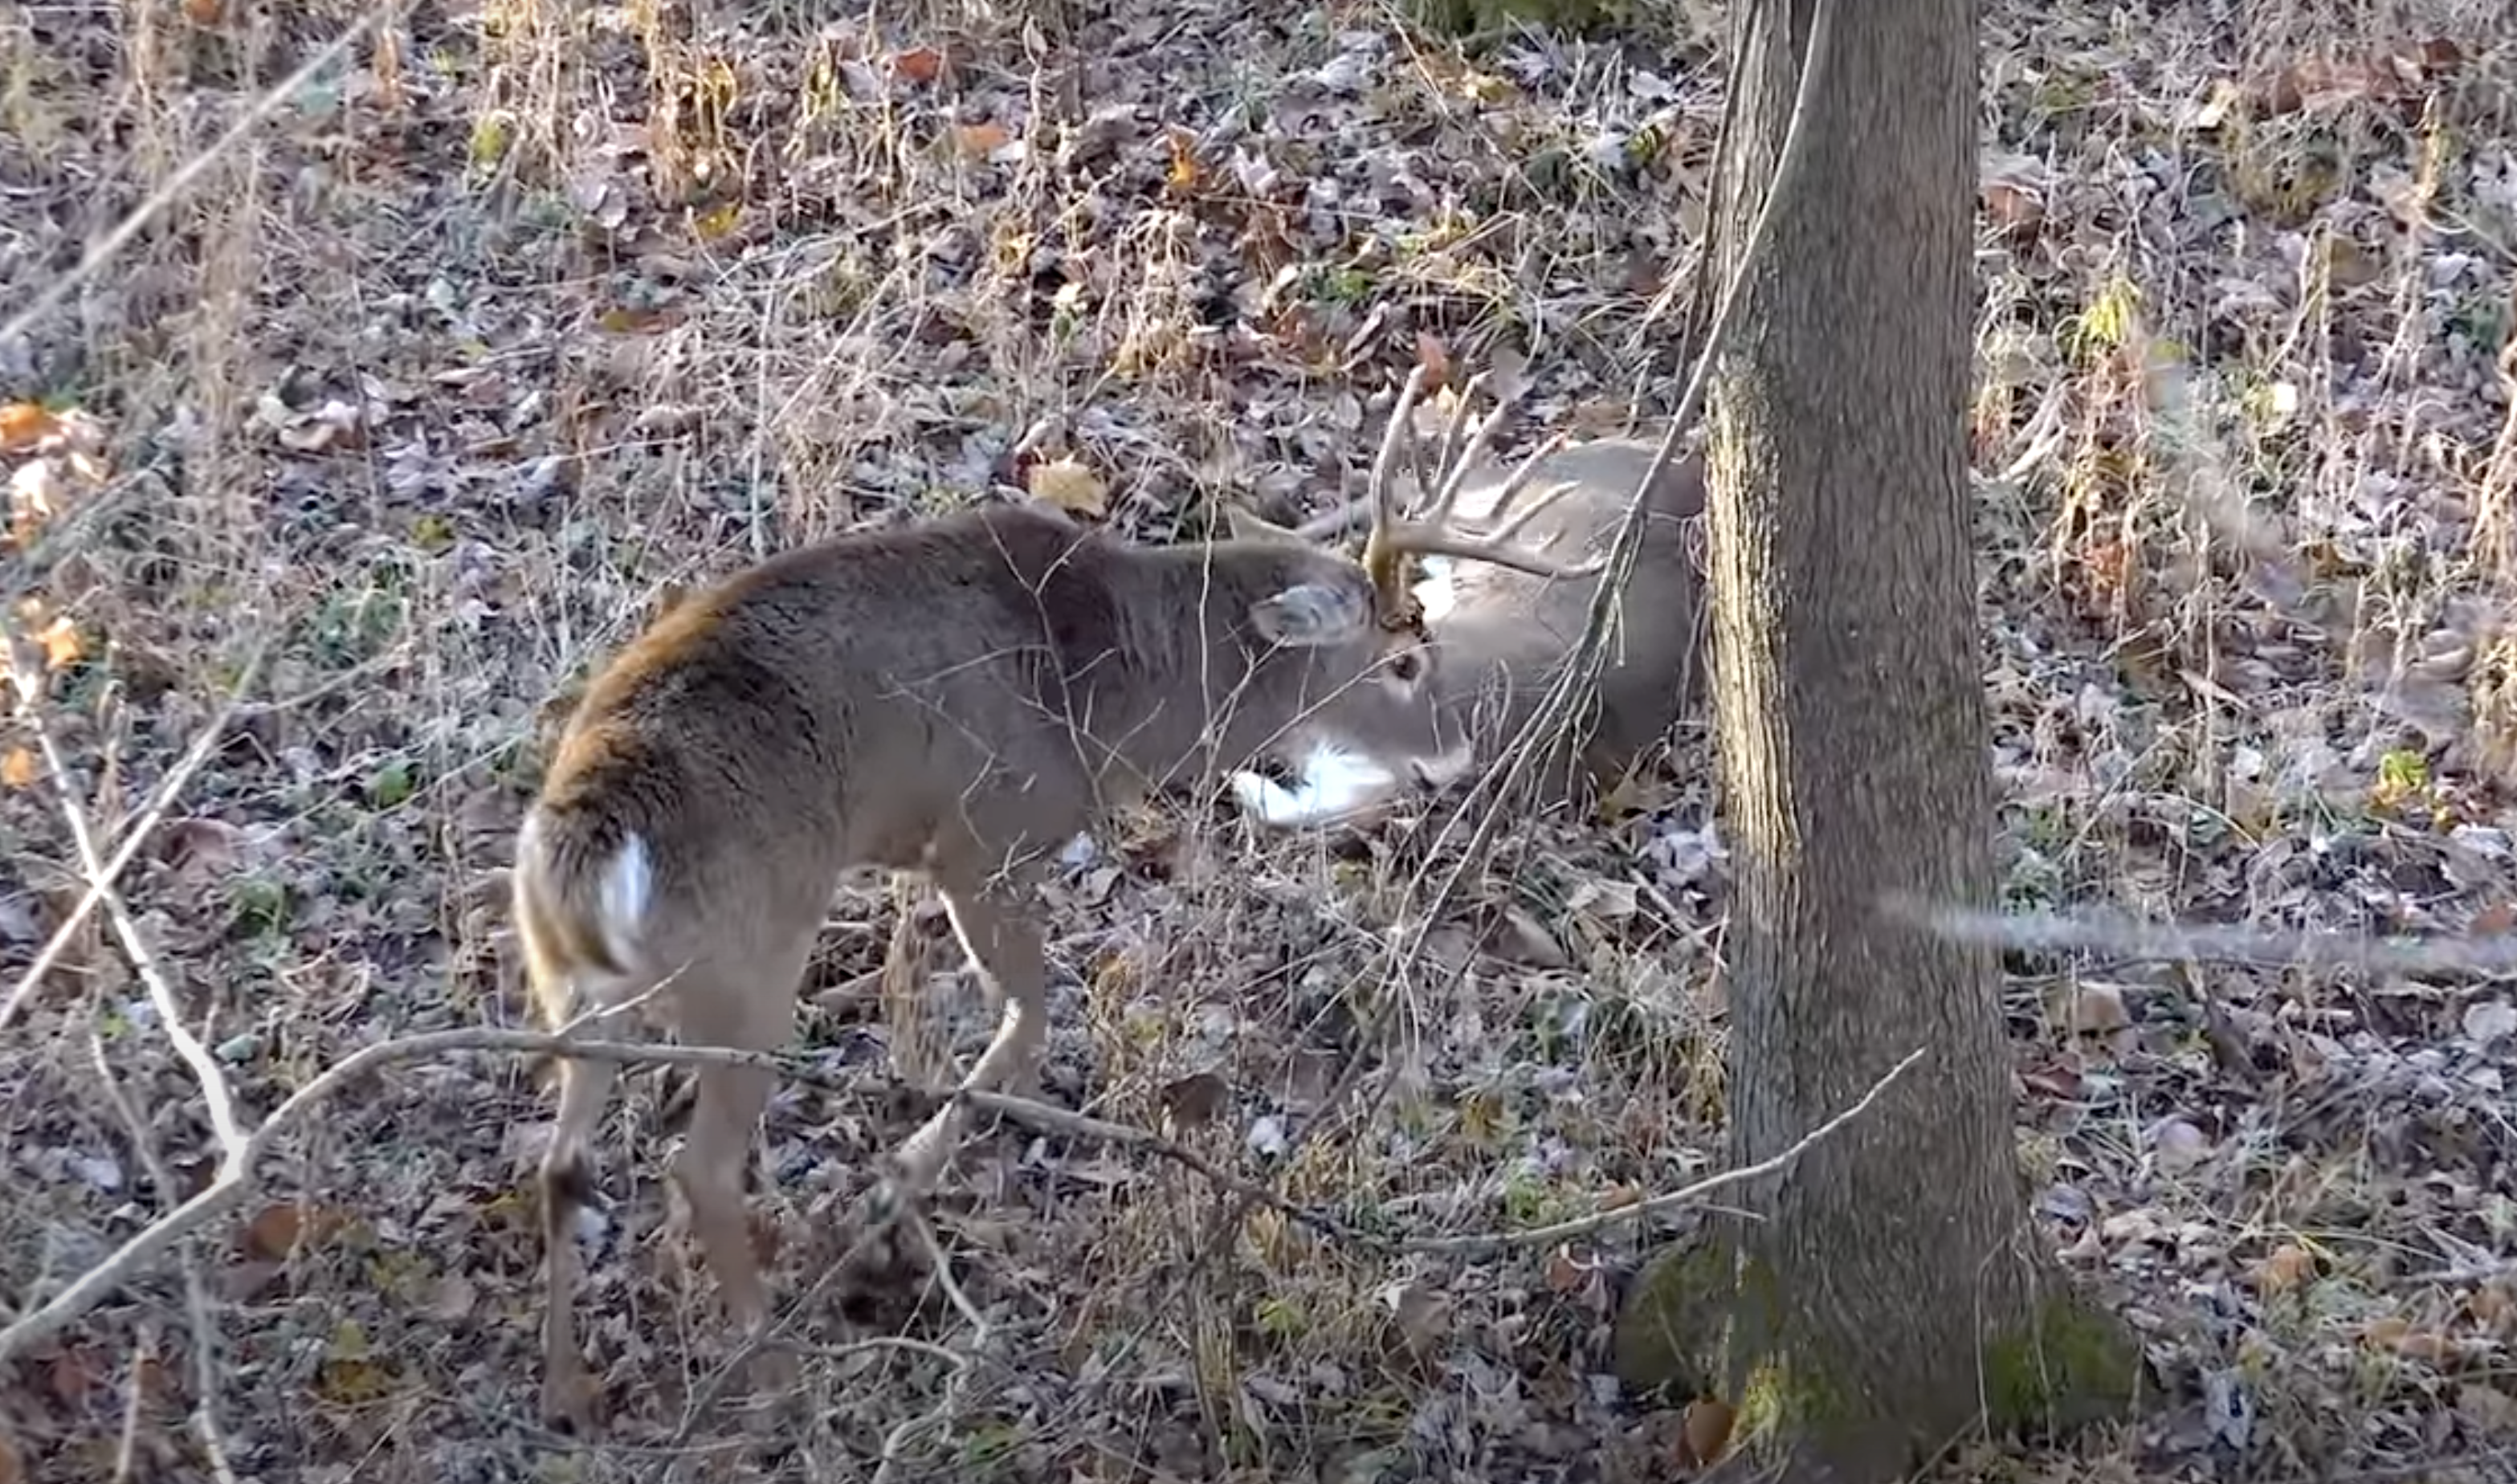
x: 525, y: 311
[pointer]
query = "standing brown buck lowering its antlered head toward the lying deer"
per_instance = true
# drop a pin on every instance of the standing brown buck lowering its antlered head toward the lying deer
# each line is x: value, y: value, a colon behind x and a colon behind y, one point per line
x: 960, y: 695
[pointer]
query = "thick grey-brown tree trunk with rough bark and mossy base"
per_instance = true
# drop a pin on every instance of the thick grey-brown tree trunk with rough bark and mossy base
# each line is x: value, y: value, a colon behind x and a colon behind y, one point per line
x: 1894, y: 1289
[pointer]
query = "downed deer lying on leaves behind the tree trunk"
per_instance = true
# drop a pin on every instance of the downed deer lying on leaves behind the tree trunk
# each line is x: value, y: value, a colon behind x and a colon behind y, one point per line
x: 1501, y: 635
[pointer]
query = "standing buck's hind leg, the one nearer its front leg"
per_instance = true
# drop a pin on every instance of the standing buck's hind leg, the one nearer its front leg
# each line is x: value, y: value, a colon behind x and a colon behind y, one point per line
x: 754, y: 1012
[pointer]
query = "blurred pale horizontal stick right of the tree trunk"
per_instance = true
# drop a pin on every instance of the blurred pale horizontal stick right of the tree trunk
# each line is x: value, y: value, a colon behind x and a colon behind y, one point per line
x: 2128, y: 937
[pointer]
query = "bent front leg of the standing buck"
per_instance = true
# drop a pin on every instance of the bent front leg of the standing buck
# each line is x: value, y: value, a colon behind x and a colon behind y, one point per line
x: 988, y: 919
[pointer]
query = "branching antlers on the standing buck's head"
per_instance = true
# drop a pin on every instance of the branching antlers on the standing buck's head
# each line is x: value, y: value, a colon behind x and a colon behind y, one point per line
x: 1433, y: 532
